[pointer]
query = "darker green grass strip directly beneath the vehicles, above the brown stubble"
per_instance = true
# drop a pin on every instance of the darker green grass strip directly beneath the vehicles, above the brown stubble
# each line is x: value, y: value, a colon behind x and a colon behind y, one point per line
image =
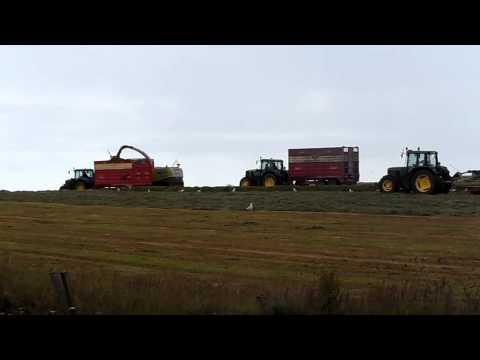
x: 303, y: 200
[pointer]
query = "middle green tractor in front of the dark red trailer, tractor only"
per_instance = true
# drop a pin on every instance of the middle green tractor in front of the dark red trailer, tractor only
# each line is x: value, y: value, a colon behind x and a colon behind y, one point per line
x: 271, y: 173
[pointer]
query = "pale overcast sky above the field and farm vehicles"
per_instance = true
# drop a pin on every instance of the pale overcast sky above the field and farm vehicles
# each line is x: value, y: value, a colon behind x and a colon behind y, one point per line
x: 217, y: 109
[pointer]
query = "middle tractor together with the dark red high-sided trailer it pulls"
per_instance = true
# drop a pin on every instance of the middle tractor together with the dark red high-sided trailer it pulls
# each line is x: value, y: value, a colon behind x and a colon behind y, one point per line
x: 335, y: 165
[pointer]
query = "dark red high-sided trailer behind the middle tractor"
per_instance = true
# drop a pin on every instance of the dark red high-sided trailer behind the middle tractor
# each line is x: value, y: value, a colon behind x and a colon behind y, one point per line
x: 337, y: 165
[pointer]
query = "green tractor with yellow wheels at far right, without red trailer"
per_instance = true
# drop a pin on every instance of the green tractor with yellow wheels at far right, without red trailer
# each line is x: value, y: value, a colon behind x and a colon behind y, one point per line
x: 422, y: 174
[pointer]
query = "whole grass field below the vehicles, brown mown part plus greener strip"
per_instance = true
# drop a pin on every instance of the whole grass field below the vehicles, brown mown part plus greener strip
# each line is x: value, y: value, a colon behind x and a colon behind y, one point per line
x: 159, y: 253
